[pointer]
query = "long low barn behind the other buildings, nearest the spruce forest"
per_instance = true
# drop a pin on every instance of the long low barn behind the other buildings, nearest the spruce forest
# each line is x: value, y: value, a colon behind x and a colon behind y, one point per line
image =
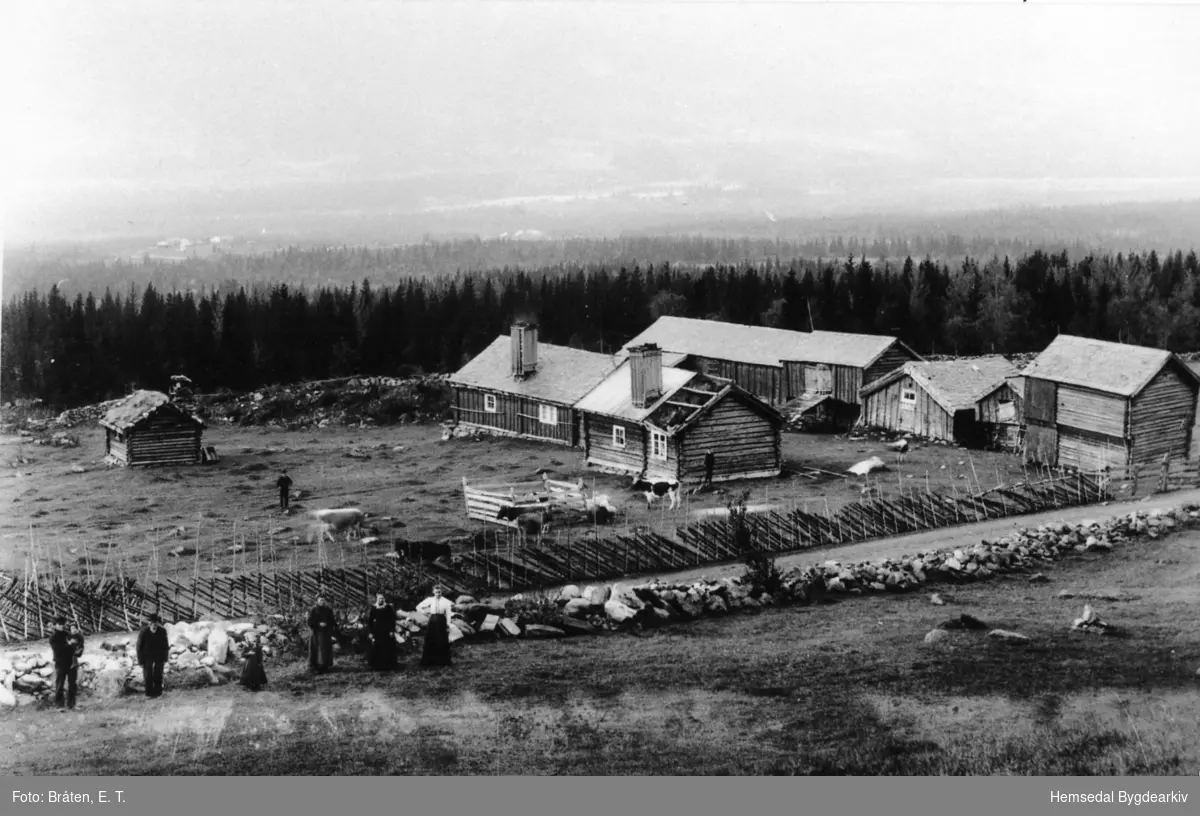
x: 819, y: 369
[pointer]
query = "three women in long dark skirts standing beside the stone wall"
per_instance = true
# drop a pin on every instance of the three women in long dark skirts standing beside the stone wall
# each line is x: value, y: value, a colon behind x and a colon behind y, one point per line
x: 382, y: 647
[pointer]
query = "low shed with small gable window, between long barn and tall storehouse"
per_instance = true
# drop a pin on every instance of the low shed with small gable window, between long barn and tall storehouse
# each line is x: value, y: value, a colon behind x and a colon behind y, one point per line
x: 962, y: 401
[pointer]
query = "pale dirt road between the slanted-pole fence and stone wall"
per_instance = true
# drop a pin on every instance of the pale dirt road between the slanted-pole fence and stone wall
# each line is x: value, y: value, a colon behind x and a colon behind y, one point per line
x: 938, y: 539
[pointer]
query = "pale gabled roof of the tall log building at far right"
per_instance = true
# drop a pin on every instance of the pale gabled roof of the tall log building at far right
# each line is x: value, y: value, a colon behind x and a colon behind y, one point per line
x: 1100, y: 365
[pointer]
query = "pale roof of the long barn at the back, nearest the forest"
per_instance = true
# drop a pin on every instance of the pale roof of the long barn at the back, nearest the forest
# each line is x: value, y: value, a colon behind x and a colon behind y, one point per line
x: 760, y: 345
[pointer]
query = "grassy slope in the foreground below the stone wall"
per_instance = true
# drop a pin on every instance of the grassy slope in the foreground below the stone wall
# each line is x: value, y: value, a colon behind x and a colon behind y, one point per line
x: 848, y: 688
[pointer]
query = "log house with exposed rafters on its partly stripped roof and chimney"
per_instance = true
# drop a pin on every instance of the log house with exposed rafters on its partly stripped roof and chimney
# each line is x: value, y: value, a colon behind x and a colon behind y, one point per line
x: 661, y: 422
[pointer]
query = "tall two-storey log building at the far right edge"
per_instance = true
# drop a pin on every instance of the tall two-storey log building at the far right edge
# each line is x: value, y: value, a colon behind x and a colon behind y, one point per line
x: 1091, y: 404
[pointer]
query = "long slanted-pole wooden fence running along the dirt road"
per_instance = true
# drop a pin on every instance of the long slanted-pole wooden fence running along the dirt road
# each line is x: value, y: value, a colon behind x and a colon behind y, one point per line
x: 508, y: 561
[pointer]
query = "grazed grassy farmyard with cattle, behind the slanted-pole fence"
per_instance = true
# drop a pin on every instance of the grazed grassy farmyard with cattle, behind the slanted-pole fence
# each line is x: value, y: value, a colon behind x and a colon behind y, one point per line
x: 71, y: 519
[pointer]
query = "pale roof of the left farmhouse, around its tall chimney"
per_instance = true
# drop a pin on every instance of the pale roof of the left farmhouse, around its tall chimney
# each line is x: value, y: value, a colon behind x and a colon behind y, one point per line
x: 563, y: 375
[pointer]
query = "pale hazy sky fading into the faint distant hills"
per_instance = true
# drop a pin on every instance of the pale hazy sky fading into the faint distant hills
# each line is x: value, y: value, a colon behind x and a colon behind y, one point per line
x: 119, y: 100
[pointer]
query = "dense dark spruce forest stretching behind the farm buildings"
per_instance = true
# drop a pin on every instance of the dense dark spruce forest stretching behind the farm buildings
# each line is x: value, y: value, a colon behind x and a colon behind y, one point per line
x: 91, y: 346
